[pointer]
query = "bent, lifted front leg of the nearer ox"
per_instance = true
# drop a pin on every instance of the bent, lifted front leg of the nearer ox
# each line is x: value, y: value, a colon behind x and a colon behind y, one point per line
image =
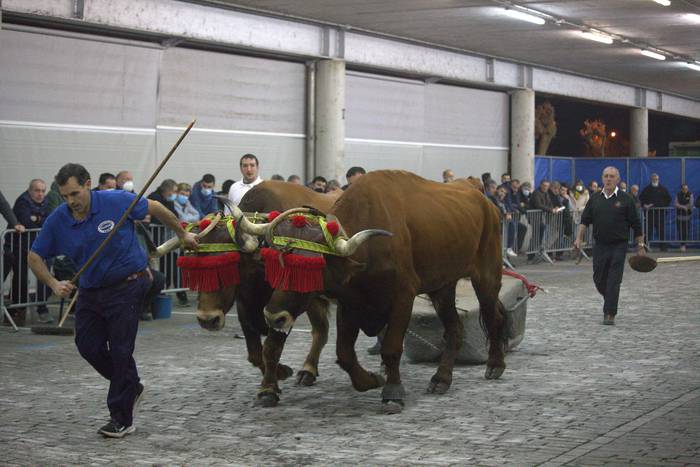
x: 362, y: 380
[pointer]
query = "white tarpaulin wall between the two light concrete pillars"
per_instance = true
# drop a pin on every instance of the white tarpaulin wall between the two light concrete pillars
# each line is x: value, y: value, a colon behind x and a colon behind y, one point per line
x: 424, y: 128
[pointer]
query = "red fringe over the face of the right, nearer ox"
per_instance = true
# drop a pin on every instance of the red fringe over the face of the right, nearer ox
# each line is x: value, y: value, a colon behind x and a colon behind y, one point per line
x: 292, y: 271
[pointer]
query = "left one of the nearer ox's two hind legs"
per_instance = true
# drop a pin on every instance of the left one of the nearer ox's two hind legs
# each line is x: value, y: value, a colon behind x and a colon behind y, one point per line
x: 444, y: 304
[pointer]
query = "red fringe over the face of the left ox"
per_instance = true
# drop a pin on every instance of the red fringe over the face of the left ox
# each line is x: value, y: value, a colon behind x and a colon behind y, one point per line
x: 209, y: 273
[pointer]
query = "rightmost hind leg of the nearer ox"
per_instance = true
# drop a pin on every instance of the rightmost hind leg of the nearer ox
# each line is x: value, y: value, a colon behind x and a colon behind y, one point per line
x: 492, y: 315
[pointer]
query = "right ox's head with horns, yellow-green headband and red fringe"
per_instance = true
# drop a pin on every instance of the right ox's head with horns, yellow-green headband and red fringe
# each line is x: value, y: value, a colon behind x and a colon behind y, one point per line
x: 301, y: 243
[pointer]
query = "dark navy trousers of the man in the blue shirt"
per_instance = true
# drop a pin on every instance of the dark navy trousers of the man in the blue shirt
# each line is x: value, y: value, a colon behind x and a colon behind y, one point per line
x: 106, y: 322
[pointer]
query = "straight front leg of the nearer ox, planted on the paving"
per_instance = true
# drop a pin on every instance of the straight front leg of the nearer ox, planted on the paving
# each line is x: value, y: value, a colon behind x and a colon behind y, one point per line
x: 393, y: 392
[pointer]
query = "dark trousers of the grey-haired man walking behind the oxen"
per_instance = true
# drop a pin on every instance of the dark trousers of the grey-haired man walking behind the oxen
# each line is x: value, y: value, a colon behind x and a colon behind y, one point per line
x: 608, y: 266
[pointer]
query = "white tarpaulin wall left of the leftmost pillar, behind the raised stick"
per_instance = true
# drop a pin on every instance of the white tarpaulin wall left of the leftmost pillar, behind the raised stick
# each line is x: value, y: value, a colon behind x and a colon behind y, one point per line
x: 119, y: 105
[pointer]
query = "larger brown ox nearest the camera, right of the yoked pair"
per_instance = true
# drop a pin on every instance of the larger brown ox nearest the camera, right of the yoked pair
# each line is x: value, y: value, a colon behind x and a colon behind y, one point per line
x: 441, y: 233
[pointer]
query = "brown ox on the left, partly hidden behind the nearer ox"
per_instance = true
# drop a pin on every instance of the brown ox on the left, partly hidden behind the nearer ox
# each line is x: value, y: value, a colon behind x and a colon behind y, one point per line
x: 253, y: 293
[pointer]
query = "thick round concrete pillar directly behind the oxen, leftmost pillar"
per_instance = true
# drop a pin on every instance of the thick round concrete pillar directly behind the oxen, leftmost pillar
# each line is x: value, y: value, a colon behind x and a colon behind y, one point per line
x: 330, y: 119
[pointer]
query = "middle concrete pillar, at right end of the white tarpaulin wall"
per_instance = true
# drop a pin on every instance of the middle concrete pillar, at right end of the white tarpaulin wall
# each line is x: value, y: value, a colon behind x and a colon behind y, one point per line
x: 522, y: 135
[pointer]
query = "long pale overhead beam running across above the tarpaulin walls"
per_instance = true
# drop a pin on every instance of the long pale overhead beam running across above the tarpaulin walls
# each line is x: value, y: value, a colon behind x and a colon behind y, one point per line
x: 289, y: 37
